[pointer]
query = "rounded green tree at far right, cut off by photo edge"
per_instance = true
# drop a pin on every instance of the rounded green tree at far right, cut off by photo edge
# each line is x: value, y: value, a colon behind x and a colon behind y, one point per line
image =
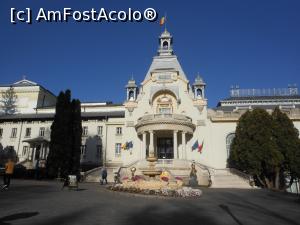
x: 287, y: 140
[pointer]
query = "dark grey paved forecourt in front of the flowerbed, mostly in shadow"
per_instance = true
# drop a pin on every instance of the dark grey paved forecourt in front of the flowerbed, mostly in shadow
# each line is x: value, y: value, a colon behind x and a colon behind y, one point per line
x: 44, y: 203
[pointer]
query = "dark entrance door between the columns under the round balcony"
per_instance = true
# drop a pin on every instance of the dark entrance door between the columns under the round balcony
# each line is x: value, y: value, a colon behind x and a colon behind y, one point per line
x: 165, y: 148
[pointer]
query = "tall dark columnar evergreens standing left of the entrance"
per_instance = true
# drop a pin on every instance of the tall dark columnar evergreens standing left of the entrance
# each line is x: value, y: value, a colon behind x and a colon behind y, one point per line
x: 64, y: 154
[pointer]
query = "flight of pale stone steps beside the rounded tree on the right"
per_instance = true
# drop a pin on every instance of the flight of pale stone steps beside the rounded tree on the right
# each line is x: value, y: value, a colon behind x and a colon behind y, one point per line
x: 230, y: 178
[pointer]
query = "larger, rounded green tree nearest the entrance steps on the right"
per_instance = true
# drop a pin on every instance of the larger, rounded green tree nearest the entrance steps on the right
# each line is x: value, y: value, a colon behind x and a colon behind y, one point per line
x: 254, y: 149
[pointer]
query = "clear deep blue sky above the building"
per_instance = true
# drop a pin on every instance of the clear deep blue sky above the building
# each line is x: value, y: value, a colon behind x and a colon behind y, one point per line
x: 254, y: 44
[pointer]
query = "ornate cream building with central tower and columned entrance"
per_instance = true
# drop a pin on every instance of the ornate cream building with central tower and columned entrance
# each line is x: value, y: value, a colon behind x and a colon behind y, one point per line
x: 166, y: 113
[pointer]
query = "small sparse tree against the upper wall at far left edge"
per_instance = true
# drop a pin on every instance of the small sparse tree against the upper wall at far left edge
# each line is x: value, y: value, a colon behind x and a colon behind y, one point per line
x: 9, y: 99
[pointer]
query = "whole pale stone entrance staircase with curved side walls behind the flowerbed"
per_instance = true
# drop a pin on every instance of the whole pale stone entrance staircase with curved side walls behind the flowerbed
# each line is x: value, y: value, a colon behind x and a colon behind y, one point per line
x: 207, y: 176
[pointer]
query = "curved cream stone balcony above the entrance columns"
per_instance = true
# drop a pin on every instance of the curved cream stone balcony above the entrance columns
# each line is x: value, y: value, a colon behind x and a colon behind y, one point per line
x: 165, y: 122
